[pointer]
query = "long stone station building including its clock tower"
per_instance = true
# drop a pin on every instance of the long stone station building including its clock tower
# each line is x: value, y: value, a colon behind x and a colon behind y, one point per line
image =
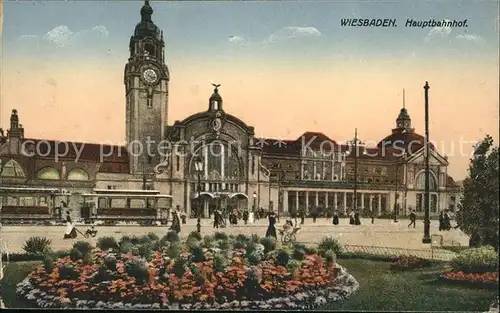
x: 238, y: 169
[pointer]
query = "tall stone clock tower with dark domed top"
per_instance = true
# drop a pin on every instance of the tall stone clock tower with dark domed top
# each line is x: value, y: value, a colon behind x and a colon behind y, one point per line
x: 146, y: 86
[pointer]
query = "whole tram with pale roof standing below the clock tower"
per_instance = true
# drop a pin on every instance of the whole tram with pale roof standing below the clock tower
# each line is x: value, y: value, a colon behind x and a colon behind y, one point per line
x: 125, y: 205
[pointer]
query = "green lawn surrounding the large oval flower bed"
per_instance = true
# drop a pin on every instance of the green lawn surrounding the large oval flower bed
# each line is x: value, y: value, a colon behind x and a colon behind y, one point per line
x: 380, y: 289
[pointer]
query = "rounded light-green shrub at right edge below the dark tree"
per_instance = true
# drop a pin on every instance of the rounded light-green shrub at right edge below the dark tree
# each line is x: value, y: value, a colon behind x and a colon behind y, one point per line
x: 476, y: 260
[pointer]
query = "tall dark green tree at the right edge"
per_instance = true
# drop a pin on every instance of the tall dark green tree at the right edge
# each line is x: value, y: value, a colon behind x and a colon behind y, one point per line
x: 478, y: 207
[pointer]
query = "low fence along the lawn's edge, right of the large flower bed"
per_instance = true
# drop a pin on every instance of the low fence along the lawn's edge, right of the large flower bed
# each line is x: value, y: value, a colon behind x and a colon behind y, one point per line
x: 430, y: 254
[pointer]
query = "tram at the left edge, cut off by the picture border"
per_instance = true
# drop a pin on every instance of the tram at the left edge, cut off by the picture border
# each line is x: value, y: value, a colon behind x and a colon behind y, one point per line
x: 29, y: 204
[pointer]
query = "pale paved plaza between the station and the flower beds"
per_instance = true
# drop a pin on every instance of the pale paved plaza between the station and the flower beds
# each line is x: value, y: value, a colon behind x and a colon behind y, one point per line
x: 383, y: 233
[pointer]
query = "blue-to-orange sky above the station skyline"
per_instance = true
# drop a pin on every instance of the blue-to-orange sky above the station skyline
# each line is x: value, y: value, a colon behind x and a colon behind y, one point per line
x: 285, y: 67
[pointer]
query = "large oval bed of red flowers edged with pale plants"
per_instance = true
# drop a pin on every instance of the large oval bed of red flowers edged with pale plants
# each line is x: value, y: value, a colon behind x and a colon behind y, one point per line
x: 197, y: 274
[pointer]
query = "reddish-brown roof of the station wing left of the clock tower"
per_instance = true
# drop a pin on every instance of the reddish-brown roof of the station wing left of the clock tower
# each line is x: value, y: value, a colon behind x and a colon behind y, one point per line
x: 114, y: 158
